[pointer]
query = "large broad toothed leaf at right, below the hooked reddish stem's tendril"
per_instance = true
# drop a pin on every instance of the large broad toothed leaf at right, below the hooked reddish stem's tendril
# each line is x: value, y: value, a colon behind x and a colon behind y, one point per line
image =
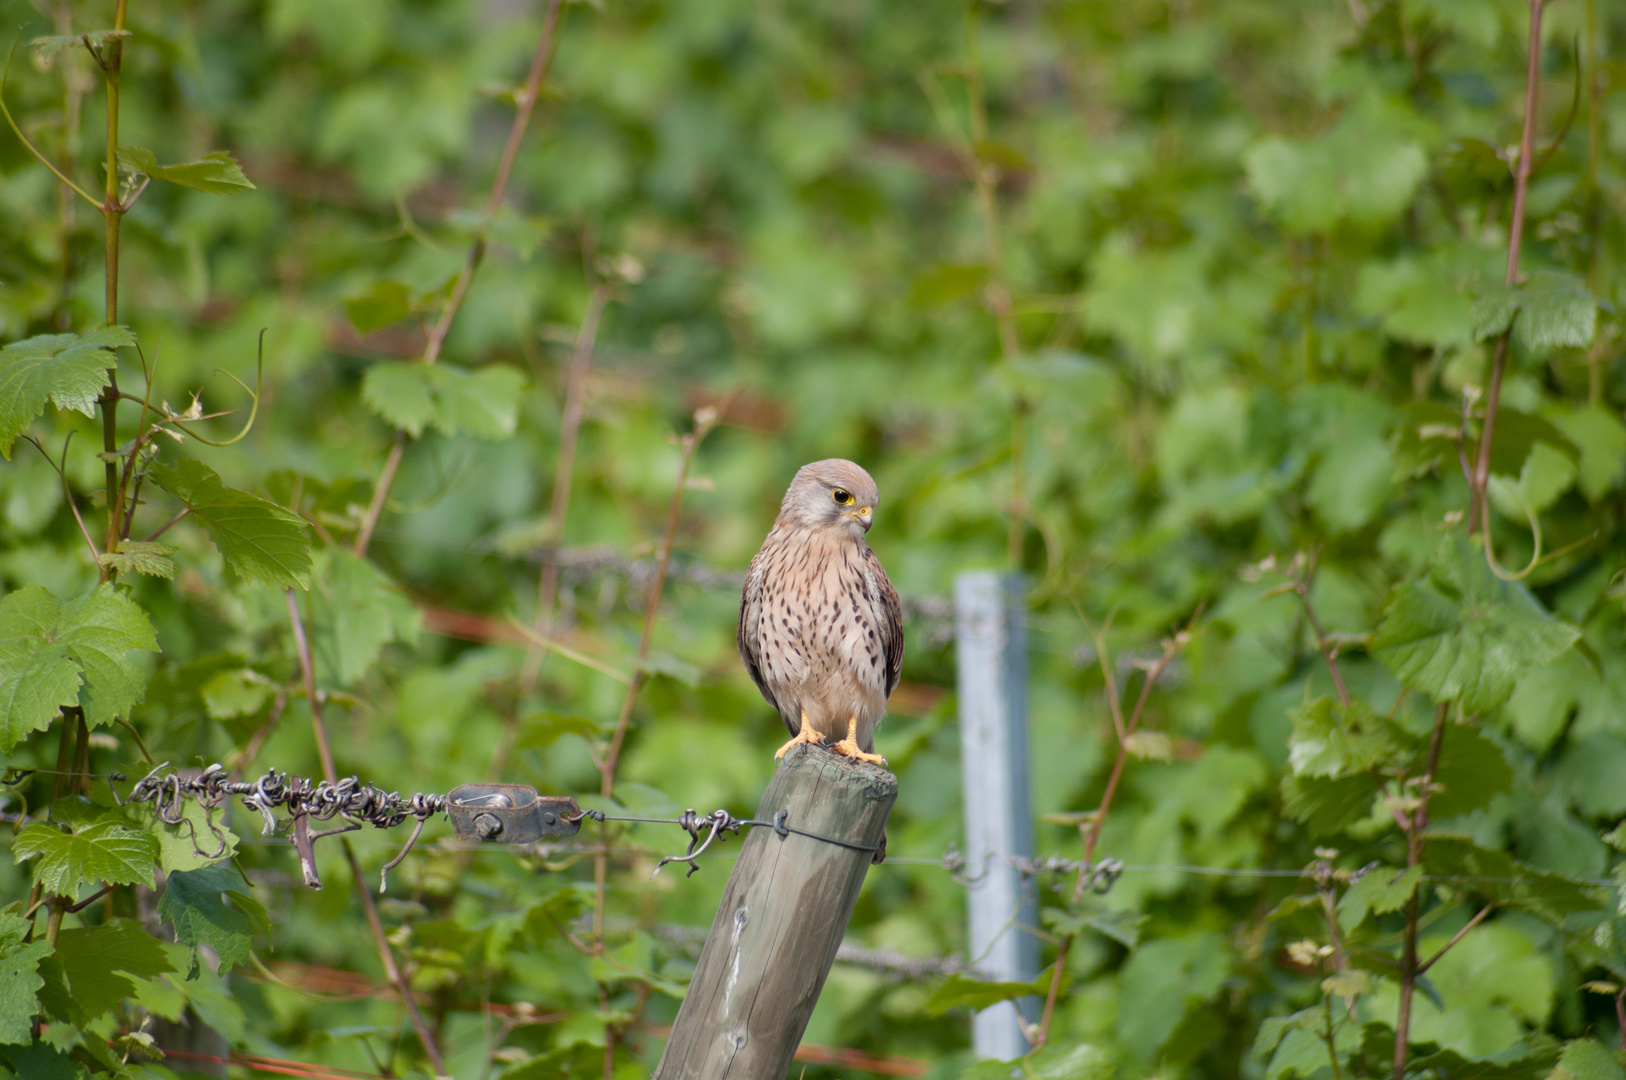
x: 1464, y: 635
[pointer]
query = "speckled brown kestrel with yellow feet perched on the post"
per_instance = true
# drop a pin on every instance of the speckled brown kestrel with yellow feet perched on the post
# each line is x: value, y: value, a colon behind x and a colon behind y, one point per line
x: 820, y: 625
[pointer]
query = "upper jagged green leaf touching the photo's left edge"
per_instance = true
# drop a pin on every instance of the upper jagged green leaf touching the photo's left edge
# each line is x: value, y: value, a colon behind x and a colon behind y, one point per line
x: 67, y: 370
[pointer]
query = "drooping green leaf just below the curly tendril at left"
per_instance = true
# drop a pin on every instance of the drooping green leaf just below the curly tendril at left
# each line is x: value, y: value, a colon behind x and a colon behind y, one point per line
x: 258, y: 539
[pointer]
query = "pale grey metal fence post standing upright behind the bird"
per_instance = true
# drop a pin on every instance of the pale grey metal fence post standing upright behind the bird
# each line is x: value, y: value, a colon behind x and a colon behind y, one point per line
x: 993, y: 658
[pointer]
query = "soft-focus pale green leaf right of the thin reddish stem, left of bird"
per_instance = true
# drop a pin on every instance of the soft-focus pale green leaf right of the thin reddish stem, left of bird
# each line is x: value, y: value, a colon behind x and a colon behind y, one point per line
x: 357, y: 611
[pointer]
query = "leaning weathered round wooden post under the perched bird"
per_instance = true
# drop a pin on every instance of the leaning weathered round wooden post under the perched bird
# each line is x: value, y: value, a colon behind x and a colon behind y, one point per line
x: 781, y: 921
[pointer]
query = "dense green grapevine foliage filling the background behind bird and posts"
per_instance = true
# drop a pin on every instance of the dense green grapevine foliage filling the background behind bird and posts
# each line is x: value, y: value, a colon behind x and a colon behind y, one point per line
x: 1188, y: 310
